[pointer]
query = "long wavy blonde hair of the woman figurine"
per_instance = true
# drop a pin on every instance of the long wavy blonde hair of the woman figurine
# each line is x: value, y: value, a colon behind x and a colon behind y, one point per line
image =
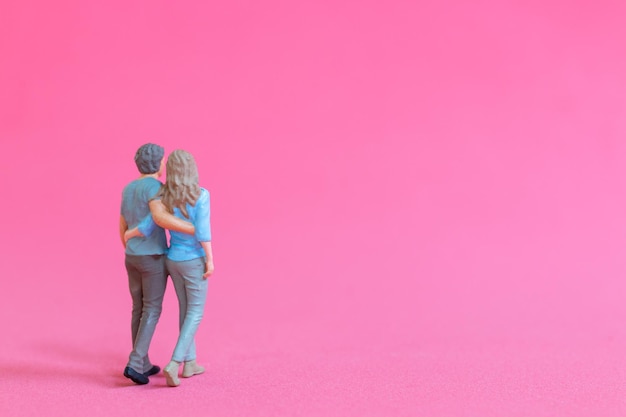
x: 181, y: 184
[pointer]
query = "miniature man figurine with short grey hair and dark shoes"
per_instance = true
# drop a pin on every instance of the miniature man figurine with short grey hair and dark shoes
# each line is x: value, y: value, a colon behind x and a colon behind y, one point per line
x: 145, y: 260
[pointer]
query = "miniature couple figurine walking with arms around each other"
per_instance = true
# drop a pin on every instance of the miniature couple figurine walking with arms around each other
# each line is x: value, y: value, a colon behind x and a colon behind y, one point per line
x: 181, y: 206
